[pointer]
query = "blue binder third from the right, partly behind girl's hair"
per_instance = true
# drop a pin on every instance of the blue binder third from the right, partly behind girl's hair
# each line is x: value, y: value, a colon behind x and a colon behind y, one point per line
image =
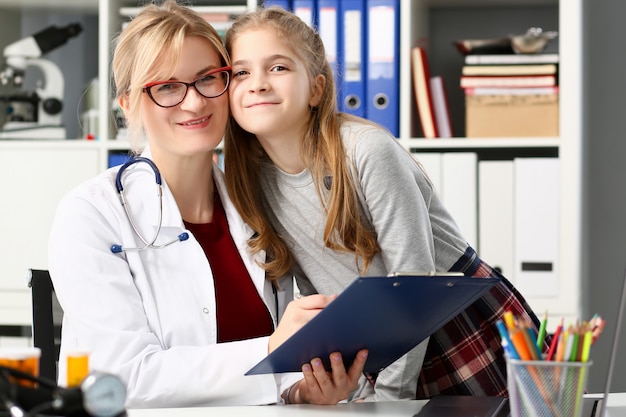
x: 327, y: 14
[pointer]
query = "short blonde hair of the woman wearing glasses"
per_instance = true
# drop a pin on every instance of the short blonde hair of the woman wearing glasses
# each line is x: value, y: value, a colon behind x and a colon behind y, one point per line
x: 149, y: 48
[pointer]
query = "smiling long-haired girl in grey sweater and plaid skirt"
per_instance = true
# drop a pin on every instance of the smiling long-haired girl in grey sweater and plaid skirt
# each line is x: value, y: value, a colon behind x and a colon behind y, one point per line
x: 332, y: 197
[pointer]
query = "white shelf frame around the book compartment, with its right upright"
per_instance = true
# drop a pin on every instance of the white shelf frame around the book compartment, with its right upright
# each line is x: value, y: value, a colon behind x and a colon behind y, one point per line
x: 568, y: 146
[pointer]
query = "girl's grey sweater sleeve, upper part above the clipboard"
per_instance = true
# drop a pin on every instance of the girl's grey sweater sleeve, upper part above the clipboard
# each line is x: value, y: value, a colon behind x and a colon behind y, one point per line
x: 397, y: 197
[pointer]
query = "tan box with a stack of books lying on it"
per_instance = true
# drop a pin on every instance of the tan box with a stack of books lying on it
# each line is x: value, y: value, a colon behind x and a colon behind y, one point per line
x: 511, y: 95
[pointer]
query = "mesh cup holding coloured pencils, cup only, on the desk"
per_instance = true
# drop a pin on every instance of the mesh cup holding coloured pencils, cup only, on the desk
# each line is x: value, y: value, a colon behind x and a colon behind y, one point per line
x: 546, y: 388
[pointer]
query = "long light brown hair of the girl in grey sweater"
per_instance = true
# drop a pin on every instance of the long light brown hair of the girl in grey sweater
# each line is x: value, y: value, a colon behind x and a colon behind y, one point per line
x: 322, y: 152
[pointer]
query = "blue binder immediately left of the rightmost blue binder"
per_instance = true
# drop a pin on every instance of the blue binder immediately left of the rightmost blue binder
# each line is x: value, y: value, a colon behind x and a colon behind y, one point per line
x: 352, y: 57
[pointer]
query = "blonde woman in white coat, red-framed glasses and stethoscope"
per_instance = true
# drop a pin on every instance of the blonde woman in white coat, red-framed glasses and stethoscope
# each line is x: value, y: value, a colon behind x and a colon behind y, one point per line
x: 162, y: 290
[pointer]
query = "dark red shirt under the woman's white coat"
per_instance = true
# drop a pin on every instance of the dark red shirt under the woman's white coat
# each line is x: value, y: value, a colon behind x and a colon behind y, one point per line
x: 241, y: 313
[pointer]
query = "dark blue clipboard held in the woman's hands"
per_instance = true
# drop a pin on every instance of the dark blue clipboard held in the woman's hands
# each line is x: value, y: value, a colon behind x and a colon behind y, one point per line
x: 387, y: 315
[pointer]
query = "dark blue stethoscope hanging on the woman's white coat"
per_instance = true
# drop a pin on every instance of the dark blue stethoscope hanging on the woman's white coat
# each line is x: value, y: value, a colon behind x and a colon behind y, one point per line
x: 148, y: 243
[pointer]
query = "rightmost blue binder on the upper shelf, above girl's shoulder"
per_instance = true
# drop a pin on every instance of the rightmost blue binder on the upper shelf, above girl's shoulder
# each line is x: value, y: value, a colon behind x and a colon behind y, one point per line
x: 383, y: 63
